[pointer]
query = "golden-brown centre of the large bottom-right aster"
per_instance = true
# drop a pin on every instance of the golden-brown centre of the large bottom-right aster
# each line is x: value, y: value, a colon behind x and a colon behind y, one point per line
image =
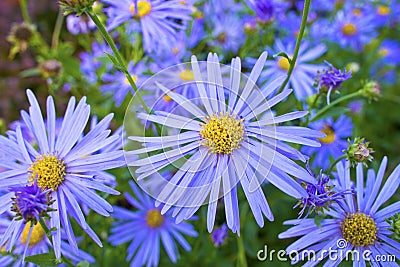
x: 359, y: 229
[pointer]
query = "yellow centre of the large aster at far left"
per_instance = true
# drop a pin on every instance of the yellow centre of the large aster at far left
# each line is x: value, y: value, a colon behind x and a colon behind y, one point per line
x: 48, y: 170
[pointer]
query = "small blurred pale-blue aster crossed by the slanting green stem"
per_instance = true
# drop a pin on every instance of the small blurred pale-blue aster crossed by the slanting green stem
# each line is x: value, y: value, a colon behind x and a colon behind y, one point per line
x: 118, y: 85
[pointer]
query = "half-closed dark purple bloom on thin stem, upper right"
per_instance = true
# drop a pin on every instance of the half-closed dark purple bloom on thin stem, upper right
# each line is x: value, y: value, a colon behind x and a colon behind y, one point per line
x: 331, y: 79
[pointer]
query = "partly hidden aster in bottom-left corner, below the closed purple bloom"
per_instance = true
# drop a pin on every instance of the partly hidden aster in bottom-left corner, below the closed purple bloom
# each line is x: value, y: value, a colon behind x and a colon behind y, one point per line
x: 37, y: 243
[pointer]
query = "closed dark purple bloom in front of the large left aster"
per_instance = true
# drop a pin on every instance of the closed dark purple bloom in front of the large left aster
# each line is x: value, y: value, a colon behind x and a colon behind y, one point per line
x: 31, y: 203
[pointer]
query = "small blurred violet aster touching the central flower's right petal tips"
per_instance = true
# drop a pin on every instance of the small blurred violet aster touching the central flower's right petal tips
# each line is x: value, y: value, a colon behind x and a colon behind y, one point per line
x: 332, y: 146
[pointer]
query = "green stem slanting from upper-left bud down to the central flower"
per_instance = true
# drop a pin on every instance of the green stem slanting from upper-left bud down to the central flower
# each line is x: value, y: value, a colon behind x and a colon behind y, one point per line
x: 119, y: 58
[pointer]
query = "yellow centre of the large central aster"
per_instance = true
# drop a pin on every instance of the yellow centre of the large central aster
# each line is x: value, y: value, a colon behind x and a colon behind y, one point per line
x: 222, y: 134
